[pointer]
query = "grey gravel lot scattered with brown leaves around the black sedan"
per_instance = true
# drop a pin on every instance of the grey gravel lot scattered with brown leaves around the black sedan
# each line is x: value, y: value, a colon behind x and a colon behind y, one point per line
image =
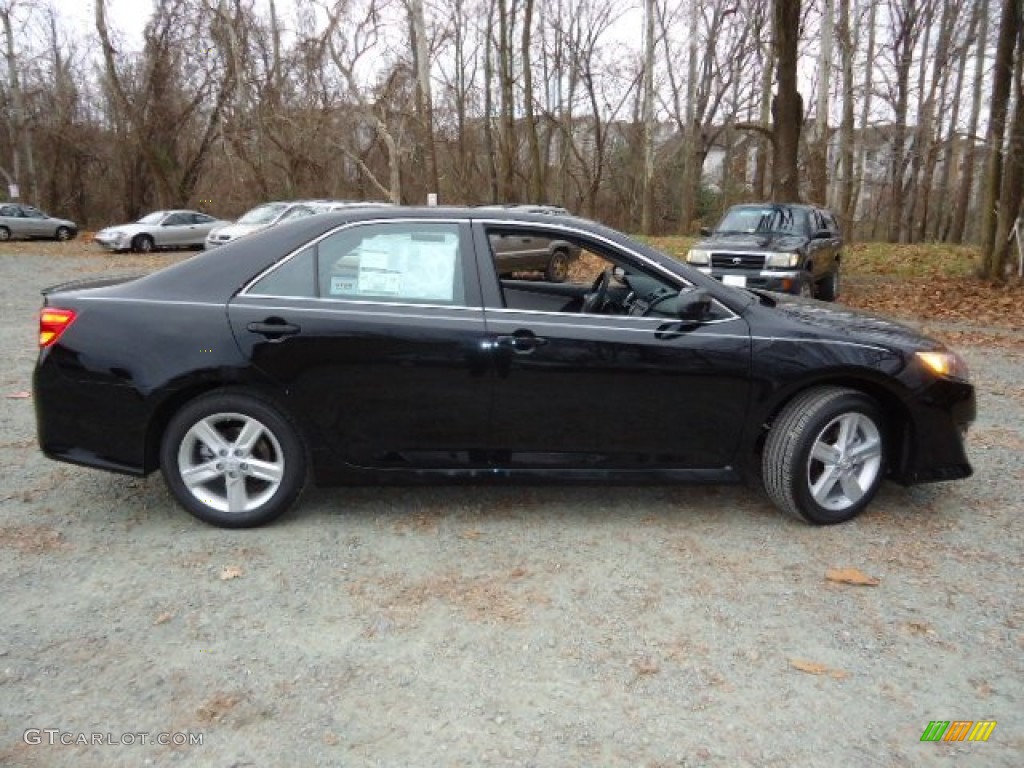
x: 515, y: 626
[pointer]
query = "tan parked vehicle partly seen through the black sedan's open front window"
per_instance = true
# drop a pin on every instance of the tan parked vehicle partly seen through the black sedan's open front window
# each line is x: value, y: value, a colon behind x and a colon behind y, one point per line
x: 517, y: 253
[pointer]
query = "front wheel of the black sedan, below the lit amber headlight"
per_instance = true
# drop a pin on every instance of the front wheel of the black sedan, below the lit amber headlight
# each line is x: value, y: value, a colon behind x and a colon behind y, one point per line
x: 790, y: 472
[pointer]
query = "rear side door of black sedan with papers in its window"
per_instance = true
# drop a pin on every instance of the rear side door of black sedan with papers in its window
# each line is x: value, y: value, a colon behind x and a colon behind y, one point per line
x: 375, y: 336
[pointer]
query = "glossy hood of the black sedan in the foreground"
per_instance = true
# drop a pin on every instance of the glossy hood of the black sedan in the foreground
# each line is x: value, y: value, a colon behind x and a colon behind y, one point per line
x: 847, y: 324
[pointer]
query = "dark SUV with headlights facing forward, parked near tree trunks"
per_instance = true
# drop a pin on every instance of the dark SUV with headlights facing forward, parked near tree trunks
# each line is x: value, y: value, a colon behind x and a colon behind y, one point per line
x: 778, y: 247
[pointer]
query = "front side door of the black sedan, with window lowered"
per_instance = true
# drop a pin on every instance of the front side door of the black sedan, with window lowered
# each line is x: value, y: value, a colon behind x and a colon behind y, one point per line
x: 584, y: 388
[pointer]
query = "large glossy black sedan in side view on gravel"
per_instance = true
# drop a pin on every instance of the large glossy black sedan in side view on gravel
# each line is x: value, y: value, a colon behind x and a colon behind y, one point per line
x: 372, y: 347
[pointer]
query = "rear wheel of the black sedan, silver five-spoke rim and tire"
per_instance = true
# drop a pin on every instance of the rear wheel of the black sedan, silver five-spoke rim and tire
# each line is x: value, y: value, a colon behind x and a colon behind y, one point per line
x: 233, y: 471
